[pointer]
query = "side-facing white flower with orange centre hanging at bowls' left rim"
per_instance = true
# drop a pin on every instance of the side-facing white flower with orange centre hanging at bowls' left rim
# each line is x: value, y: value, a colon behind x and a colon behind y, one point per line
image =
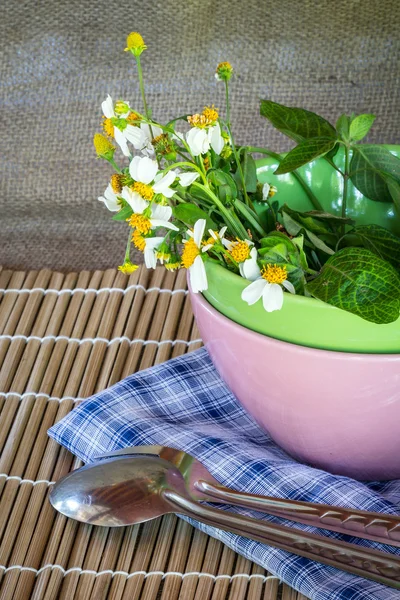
x: 192, y: 259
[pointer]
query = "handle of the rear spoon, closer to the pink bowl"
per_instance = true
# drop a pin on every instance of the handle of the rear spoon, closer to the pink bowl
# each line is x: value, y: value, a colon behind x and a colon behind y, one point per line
x: 378, y: 527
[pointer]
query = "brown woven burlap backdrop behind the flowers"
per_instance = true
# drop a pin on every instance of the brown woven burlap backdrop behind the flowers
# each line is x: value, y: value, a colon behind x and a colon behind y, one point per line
x: 60, y: 59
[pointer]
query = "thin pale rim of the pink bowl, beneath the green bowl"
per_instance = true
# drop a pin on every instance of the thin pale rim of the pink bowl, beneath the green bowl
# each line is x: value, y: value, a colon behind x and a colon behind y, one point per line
x: 288, y: 346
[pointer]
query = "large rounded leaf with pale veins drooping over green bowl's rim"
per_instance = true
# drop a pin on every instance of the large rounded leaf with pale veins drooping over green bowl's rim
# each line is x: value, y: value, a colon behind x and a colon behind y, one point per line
x: 356, y: 280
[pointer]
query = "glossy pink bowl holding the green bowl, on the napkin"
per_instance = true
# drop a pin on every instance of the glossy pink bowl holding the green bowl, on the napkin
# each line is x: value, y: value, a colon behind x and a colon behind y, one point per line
x: 335, y: 410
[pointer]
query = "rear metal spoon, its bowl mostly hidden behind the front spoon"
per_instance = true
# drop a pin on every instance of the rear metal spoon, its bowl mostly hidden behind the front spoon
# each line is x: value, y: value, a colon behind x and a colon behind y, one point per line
x: 201, y: 485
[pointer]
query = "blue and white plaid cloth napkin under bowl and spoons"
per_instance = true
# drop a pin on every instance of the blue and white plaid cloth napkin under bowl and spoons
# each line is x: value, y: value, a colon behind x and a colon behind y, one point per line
x: 183, y: 403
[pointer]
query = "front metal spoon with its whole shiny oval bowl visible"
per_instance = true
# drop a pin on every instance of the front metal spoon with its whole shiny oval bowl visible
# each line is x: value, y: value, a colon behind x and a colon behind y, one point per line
x: 133, y: 489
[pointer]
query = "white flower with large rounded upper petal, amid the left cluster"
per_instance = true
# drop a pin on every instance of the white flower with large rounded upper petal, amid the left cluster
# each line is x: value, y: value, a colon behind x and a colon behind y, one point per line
x: 145, y: 170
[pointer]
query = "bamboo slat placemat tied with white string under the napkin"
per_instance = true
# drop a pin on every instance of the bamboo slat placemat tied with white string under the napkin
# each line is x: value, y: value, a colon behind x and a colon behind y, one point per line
x: 64, y: 337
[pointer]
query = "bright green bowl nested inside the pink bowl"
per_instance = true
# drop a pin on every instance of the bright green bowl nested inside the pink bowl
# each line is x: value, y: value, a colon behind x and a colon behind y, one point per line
x: 307, y: 321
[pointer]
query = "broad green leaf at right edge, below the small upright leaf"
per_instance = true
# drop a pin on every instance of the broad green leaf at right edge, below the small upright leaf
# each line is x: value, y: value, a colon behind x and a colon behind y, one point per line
x: 371, y: 167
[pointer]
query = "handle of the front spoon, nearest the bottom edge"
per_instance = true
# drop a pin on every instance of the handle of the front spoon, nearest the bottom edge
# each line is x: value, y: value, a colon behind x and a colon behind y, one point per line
x: 365, y: 562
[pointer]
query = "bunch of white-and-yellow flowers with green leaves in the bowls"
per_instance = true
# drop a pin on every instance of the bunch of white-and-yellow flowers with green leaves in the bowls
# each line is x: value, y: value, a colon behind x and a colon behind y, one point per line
x: 189, y: 195
